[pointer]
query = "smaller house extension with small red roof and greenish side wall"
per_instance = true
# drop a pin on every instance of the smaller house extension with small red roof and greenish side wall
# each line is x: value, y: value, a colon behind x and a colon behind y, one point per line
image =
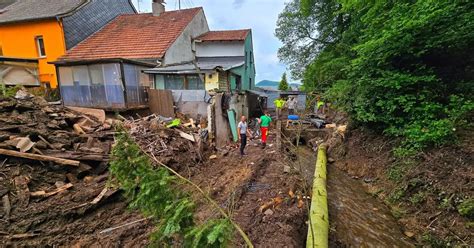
x: 223, y: 62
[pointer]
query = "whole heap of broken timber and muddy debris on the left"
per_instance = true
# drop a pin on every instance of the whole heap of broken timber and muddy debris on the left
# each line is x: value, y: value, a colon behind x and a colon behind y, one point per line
x: 54, y: 169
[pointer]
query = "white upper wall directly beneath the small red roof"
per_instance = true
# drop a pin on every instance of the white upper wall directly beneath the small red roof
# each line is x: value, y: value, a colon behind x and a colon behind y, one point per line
x: 219, y: 49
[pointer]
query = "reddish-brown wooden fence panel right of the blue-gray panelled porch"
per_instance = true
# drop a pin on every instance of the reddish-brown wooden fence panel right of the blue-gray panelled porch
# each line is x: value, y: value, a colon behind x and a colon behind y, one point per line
x: 161, y: 102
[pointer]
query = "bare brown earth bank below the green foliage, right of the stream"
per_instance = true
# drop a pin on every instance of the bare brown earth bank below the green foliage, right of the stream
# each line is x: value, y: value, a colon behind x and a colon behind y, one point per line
x: 422, y: 192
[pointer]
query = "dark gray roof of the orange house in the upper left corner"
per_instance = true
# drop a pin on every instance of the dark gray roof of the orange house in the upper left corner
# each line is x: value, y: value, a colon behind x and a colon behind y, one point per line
x: 28, y: 10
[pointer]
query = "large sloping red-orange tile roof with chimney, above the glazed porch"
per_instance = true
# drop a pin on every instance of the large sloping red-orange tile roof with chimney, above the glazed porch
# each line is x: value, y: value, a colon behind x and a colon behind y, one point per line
x: 134, y: 36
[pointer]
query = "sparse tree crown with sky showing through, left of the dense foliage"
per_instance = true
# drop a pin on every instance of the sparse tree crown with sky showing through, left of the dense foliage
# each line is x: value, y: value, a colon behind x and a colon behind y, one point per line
x: 305, y: 36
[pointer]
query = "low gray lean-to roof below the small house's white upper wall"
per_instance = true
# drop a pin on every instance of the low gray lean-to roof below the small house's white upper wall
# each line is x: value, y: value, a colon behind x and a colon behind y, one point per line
x: 204, y: 64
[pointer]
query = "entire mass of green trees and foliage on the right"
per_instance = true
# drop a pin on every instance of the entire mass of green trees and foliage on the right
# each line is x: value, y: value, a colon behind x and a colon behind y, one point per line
x: 401, y: 67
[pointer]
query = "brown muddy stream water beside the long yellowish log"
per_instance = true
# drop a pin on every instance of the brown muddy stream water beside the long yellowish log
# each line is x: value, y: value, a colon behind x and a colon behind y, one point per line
x: 357, y: 219
